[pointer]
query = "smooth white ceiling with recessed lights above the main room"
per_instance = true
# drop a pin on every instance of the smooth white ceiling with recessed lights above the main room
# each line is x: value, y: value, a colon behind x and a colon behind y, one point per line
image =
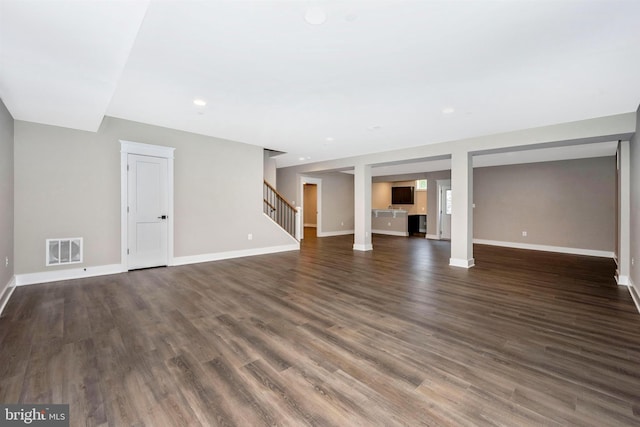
x: 375, y: 76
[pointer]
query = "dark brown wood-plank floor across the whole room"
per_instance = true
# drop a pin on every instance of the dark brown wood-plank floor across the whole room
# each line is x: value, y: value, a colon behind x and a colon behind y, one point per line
x: 329, y: 336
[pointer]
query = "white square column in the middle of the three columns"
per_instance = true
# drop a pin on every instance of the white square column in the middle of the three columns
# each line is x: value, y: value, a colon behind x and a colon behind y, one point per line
x: 462, y: 210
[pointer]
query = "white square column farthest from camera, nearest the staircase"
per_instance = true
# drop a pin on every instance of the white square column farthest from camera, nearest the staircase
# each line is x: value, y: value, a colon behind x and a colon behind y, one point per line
x: 362, y: 208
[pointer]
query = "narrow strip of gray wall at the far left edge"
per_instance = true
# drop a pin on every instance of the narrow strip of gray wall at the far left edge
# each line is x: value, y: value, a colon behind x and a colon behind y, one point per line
x: 6, y: 196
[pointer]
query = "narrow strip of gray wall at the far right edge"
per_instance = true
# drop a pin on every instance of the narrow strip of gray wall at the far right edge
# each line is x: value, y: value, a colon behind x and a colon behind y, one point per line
x: 635, y: 205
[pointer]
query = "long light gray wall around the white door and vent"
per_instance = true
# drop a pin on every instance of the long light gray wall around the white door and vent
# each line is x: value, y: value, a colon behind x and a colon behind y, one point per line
x: 67, y: 184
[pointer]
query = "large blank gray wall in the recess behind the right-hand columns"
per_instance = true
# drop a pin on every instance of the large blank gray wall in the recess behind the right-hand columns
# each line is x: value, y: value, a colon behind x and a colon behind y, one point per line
x: 565, y: 203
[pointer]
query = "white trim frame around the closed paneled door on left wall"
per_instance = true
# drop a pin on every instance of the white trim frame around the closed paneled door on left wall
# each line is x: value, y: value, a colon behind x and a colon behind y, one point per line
x: 129, y: 147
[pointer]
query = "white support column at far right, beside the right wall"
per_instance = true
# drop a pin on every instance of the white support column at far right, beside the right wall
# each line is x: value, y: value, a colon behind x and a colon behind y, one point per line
x: 624, y: 214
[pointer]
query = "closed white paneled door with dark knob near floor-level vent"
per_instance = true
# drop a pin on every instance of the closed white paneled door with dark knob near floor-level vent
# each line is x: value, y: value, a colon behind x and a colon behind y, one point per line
x: 147, y: 211
